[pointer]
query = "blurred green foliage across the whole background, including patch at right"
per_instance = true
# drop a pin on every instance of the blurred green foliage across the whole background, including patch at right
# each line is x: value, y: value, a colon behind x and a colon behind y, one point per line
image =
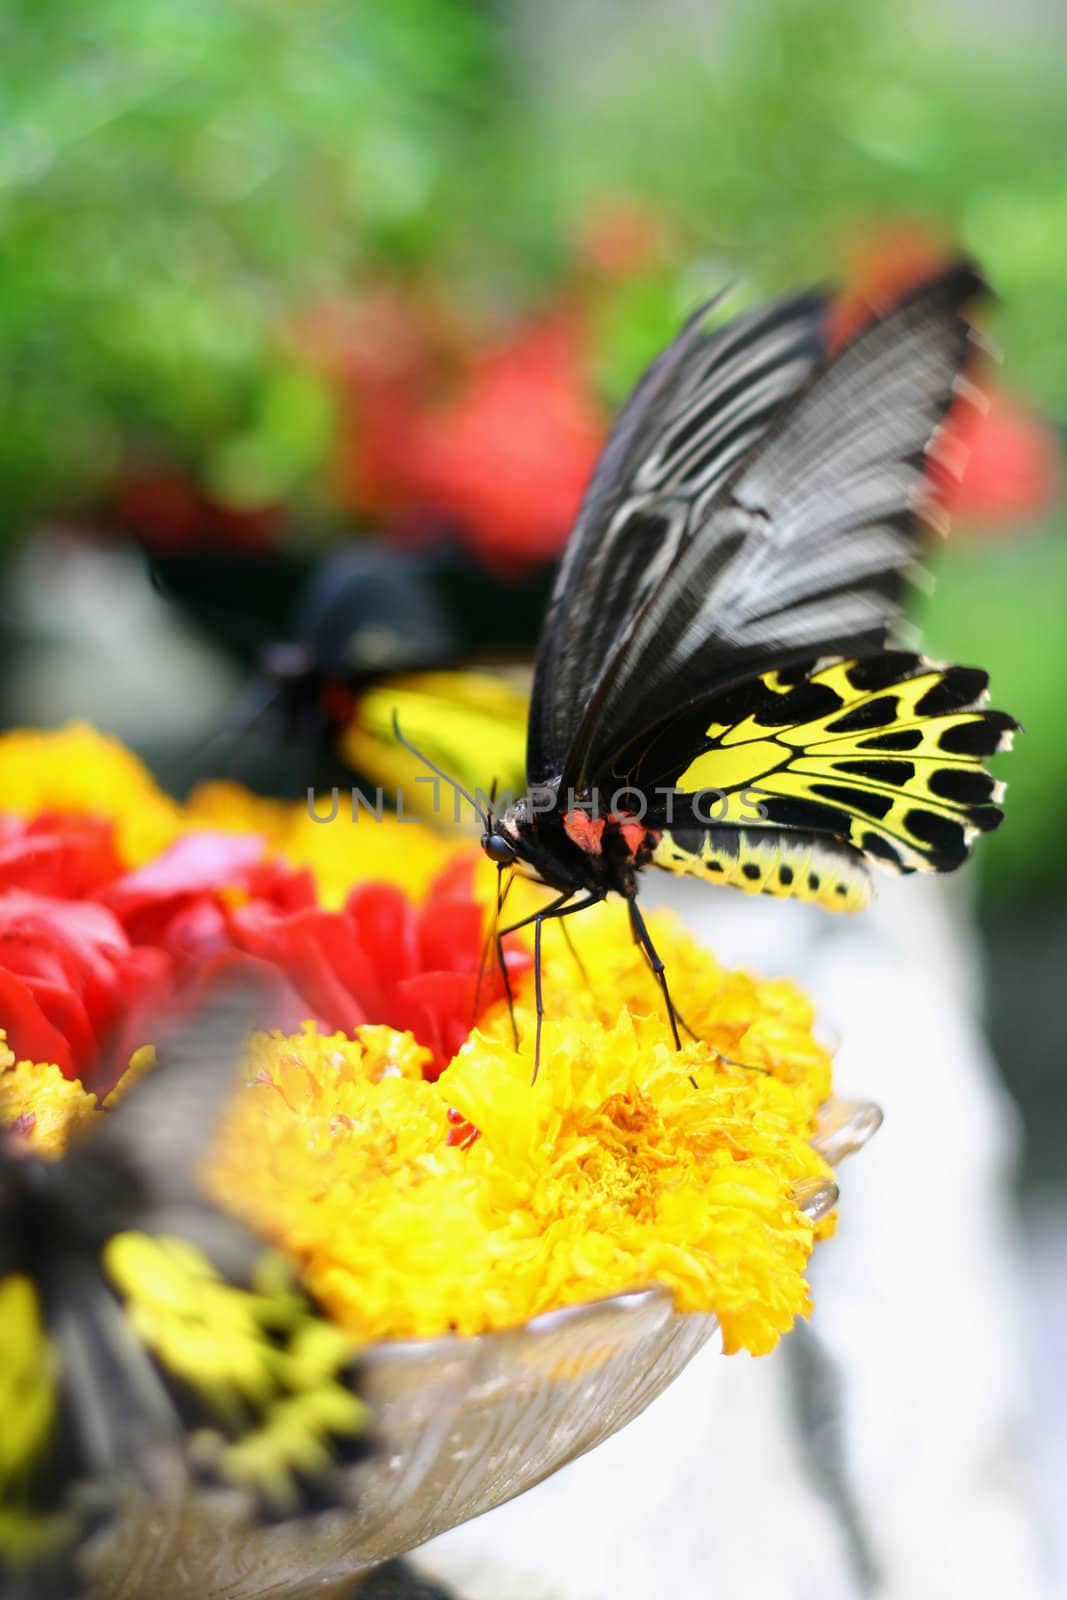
x: 182, y: 183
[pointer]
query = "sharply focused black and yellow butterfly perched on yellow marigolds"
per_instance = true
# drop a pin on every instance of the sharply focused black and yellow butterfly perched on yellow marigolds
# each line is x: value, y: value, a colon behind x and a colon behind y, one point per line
x: 714, y: 690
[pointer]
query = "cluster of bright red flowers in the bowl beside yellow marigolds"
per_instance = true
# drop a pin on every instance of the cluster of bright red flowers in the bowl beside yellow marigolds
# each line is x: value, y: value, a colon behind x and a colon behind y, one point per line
x: 89, y: 951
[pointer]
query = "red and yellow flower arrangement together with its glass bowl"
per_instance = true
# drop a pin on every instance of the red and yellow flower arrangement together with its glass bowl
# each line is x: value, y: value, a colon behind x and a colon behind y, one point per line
x: 522, y: 1266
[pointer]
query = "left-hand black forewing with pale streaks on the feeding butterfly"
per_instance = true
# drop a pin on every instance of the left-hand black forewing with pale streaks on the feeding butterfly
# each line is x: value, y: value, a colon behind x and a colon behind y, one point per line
x: 695, y: 415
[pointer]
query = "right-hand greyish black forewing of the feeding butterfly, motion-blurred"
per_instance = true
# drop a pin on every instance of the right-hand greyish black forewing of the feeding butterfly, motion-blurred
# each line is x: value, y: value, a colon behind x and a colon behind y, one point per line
x: 809, y: 550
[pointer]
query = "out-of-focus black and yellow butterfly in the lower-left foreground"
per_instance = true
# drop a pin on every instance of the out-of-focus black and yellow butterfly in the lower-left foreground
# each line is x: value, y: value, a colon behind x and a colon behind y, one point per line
x: 153, y: 1346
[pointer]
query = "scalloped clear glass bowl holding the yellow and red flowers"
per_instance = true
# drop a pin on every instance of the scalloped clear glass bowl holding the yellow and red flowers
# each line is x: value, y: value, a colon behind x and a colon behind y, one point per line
x: 463, y: 1426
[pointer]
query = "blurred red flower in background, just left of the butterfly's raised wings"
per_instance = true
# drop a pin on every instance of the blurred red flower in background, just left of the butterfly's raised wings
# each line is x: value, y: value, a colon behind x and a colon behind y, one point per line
x: 492, y: 439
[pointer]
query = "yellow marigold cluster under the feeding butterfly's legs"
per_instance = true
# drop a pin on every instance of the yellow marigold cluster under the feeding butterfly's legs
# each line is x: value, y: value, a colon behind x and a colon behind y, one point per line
x: 610, y: 1174
